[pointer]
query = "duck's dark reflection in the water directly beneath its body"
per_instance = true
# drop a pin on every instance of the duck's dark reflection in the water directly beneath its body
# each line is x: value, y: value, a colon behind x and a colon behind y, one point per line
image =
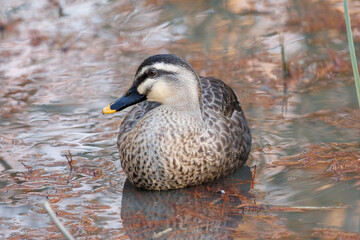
x: 208, y: 211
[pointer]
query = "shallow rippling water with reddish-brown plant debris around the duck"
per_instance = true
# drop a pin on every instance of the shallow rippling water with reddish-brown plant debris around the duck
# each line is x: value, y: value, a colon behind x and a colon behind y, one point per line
x: 61, y: 64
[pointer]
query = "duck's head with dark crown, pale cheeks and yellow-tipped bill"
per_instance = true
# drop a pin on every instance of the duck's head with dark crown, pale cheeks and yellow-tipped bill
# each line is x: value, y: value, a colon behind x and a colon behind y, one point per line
x: 167, y: 79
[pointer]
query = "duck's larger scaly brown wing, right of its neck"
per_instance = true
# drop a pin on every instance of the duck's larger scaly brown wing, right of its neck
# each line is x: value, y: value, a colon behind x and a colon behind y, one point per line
x: 225, y: 118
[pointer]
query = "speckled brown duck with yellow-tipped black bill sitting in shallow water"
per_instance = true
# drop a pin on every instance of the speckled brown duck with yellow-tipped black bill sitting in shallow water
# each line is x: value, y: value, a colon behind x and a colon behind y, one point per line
x: 184, y: 129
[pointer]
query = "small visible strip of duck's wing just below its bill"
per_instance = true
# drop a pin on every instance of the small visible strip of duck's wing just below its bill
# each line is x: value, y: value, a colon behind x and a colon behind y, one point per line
x: 135, y: 115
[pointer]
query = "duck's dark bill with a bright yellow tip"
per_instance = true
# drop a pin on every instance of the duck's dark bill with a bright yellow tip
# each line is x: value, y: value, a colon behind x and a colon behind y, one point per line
x: 130, y: 98
